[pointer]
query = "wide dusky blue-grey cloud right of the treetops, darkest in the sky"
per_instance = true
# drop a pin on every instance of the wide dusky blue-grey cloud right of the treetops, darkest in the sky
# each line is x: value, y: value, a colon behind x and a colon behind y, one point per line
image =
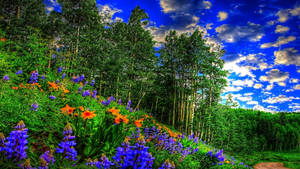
x: 231, y: 34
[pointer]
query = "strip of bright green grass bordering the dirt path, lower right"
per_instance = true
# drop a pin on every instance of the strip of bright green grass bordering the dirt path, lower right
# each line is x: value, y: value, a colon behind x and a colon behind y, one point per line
x: 291, y: 159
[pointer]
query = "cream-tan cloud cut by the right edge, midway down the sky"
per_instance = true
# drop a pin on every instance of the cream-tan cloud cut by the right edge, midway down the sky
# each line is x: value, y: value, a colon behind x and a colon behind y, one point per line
x: 287, y: 56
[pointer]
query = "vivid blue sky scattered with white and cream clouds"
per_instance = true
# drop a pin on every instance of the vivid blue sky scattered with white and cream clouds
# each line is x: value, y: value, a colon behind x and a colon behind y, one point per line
x: 261, y: 39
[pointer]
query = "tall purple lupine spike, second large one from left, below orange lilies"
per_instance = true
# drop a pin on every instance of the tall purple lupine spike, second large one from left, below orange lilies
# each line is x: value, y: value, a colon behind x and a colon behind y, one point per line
x: 66, y: 147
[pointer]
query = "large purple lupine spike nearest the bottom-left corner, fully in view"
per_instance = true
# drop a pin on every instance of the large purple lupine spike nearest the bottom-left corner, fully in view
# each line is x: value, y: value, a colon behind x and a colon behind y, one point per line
x: 16, y: 142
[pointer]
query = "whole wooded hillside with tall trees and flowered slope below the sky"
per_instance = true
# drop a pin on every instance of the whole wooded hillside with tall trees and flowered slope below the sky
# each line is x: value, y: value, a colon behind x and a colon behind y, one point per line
x: 108, y: 91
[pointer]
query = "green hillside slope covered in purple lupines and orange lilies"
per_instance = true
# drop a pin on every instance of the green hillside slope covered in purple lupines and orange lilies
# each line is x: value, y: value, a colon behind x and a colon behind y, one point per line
x: 50, y: 121
